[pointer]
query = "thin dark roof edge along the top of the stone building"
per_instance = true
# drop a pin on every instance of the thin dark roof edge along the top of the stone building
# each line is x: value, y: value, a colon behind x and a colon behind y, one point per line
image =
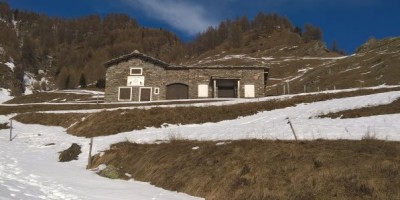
x: 146, y: 58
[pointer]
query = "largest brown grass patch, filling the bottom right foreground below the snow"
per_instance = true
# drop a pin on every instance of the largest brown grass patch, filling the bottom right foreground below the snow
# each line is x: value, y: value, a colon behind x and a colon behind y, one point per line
x: 256, y: 169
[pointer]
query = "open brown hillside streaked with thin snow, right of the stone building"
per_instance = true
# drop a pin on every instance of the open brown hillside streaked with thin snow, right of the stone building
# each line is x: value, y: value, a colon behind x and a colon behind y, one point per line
x: 311, y: 67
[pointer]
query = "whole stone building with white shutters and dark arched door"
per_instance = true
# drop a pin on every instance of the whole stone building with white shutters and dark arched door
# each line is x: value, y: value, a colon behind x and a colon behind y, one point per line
x: 138, y: 77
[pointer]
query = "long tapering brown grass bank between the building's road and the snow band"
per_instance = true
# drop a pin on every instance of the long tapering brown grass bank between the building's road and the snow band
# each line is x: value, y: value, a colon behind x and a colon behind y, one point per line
x: 128, y: 120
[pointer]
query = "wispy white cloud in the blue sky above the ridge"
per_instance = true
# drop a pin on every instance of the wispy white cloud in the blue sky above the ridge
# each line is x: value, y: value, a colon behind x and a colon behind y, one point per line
x: 186, y: 16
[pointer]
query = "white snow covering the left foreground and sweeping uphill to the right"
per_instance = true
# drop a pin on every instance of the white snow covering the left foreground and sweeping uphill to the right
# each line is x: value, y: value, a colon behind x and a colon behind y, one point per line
x: 29, y: 167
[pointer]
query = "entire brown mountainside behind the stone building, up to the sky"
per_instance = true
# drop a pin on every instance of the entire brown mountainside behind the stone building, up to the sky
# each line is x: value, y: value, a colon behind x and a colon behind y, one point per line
x: 53, y: 53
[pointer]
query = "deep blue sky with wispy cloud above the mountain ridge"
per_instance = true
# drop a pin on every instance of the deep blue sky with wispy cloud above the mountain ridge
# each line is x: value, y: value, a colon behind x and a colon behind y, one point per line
x: 349, y: 22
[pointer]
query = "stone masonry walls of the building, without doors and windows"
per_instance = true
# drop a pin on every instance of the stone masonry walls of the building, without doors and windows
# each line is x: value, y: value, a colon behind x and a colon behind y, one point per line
x: 157, y: 76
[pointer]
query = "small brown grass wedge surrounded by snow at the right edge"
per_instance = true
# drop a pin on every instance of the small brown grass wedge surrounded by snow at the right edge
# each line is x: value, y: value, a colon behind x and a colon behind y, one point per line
x: 392, y: 108
